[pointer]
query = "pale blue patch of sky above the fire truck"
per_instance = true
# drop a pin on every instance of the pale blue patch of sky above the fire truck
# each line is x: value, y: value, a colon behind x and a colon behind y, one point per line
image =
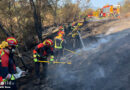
x: 101, y: 3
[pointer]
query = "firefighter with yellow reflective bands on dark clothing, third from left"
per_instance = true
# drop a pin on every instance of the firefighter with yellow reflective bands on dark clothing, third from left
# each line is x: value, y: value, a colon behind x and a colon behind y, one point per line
x: 59, y: 43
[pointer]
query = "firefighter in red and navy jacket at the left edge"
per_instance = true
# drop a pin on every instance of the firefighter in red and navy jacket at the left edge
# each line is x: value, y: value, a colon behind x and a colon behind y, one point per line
x: 8, y: 71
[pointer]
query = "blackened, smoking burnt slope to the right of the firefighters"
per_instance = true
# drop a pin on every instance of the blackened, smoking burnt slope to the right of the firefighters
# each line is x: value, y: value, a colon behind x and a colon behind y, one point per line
x: 103, y: 65
